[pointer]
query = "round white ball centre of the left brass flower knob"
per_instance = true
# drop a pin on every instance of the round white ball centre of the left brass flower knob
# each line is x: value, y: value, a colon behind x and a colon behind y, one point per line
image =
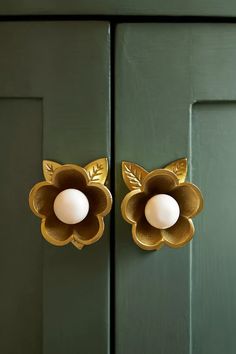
x: 71, y: 206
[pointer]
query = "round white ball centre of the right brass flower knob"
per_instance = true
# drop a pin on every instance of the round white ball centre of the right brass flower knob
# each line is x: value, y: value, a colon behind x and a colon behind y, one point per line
x: 162, y: 211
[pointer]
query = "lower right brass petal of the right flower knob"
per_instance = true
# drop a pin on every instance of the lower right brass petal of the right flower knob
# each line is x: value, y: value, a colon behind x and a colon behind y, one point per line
x: 180, y: 233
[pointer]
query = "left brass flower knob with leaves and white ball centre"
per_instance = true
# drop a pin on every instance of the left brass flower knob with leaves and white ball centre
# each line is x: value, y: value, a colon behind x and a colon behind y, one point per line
x: 72, y: 202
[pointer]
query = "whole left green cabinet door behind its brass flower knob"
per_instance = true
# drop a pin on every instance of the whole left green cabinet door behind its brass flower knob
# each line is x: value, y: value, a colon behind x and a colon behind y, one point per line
x: 55, y: 105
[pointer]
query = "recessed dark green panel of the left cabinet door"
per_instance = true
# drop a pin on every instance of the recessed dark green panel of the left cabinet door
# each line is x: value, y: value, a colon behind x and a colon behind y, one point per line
x: 21, y: 248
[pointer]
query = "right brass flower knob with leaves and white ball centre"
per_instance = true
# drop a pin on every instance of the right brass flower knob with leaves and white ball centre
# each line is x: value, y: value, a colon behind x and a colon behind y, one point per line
x: 160, y: 205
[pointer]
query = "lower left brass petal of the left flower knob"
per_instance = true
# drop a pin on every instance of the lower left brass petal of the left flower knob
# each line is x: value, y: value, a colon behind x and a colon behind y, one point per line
x: 55, y: 231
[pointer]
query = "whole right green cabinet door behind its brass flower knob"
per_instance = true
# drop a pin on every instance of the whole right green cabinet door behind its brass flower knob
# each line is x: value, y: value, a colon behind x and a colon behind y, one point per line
x: 178, y: 301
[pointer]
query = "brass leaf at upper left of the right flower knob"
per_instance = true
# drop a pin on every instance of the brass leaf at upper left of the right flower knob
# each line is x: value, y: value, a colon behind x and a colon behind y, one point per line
x: 133, y: 175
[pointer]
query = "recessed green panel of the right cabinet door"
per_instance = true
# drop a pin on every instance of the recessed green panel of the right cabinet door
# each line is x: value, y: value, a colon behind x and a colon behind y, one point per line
x: 214, y: 256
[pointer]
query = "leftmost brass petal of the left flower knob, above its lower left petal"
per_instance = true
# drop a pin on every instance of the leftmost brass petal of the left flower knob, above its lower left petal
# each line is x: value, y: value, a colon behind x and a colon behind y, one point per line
x: 41, y: 198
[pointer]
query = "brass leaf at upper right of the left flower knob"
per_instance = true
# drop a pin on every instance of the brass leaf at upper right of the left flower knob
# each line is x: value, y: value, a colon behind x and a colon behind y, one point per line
x: 97, y: 170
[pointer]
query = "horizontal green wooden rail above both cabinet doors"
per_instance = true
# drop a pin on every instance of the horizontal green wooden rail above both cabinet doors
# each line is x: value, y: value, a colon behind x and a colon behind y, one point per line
x: 121, y: 7
